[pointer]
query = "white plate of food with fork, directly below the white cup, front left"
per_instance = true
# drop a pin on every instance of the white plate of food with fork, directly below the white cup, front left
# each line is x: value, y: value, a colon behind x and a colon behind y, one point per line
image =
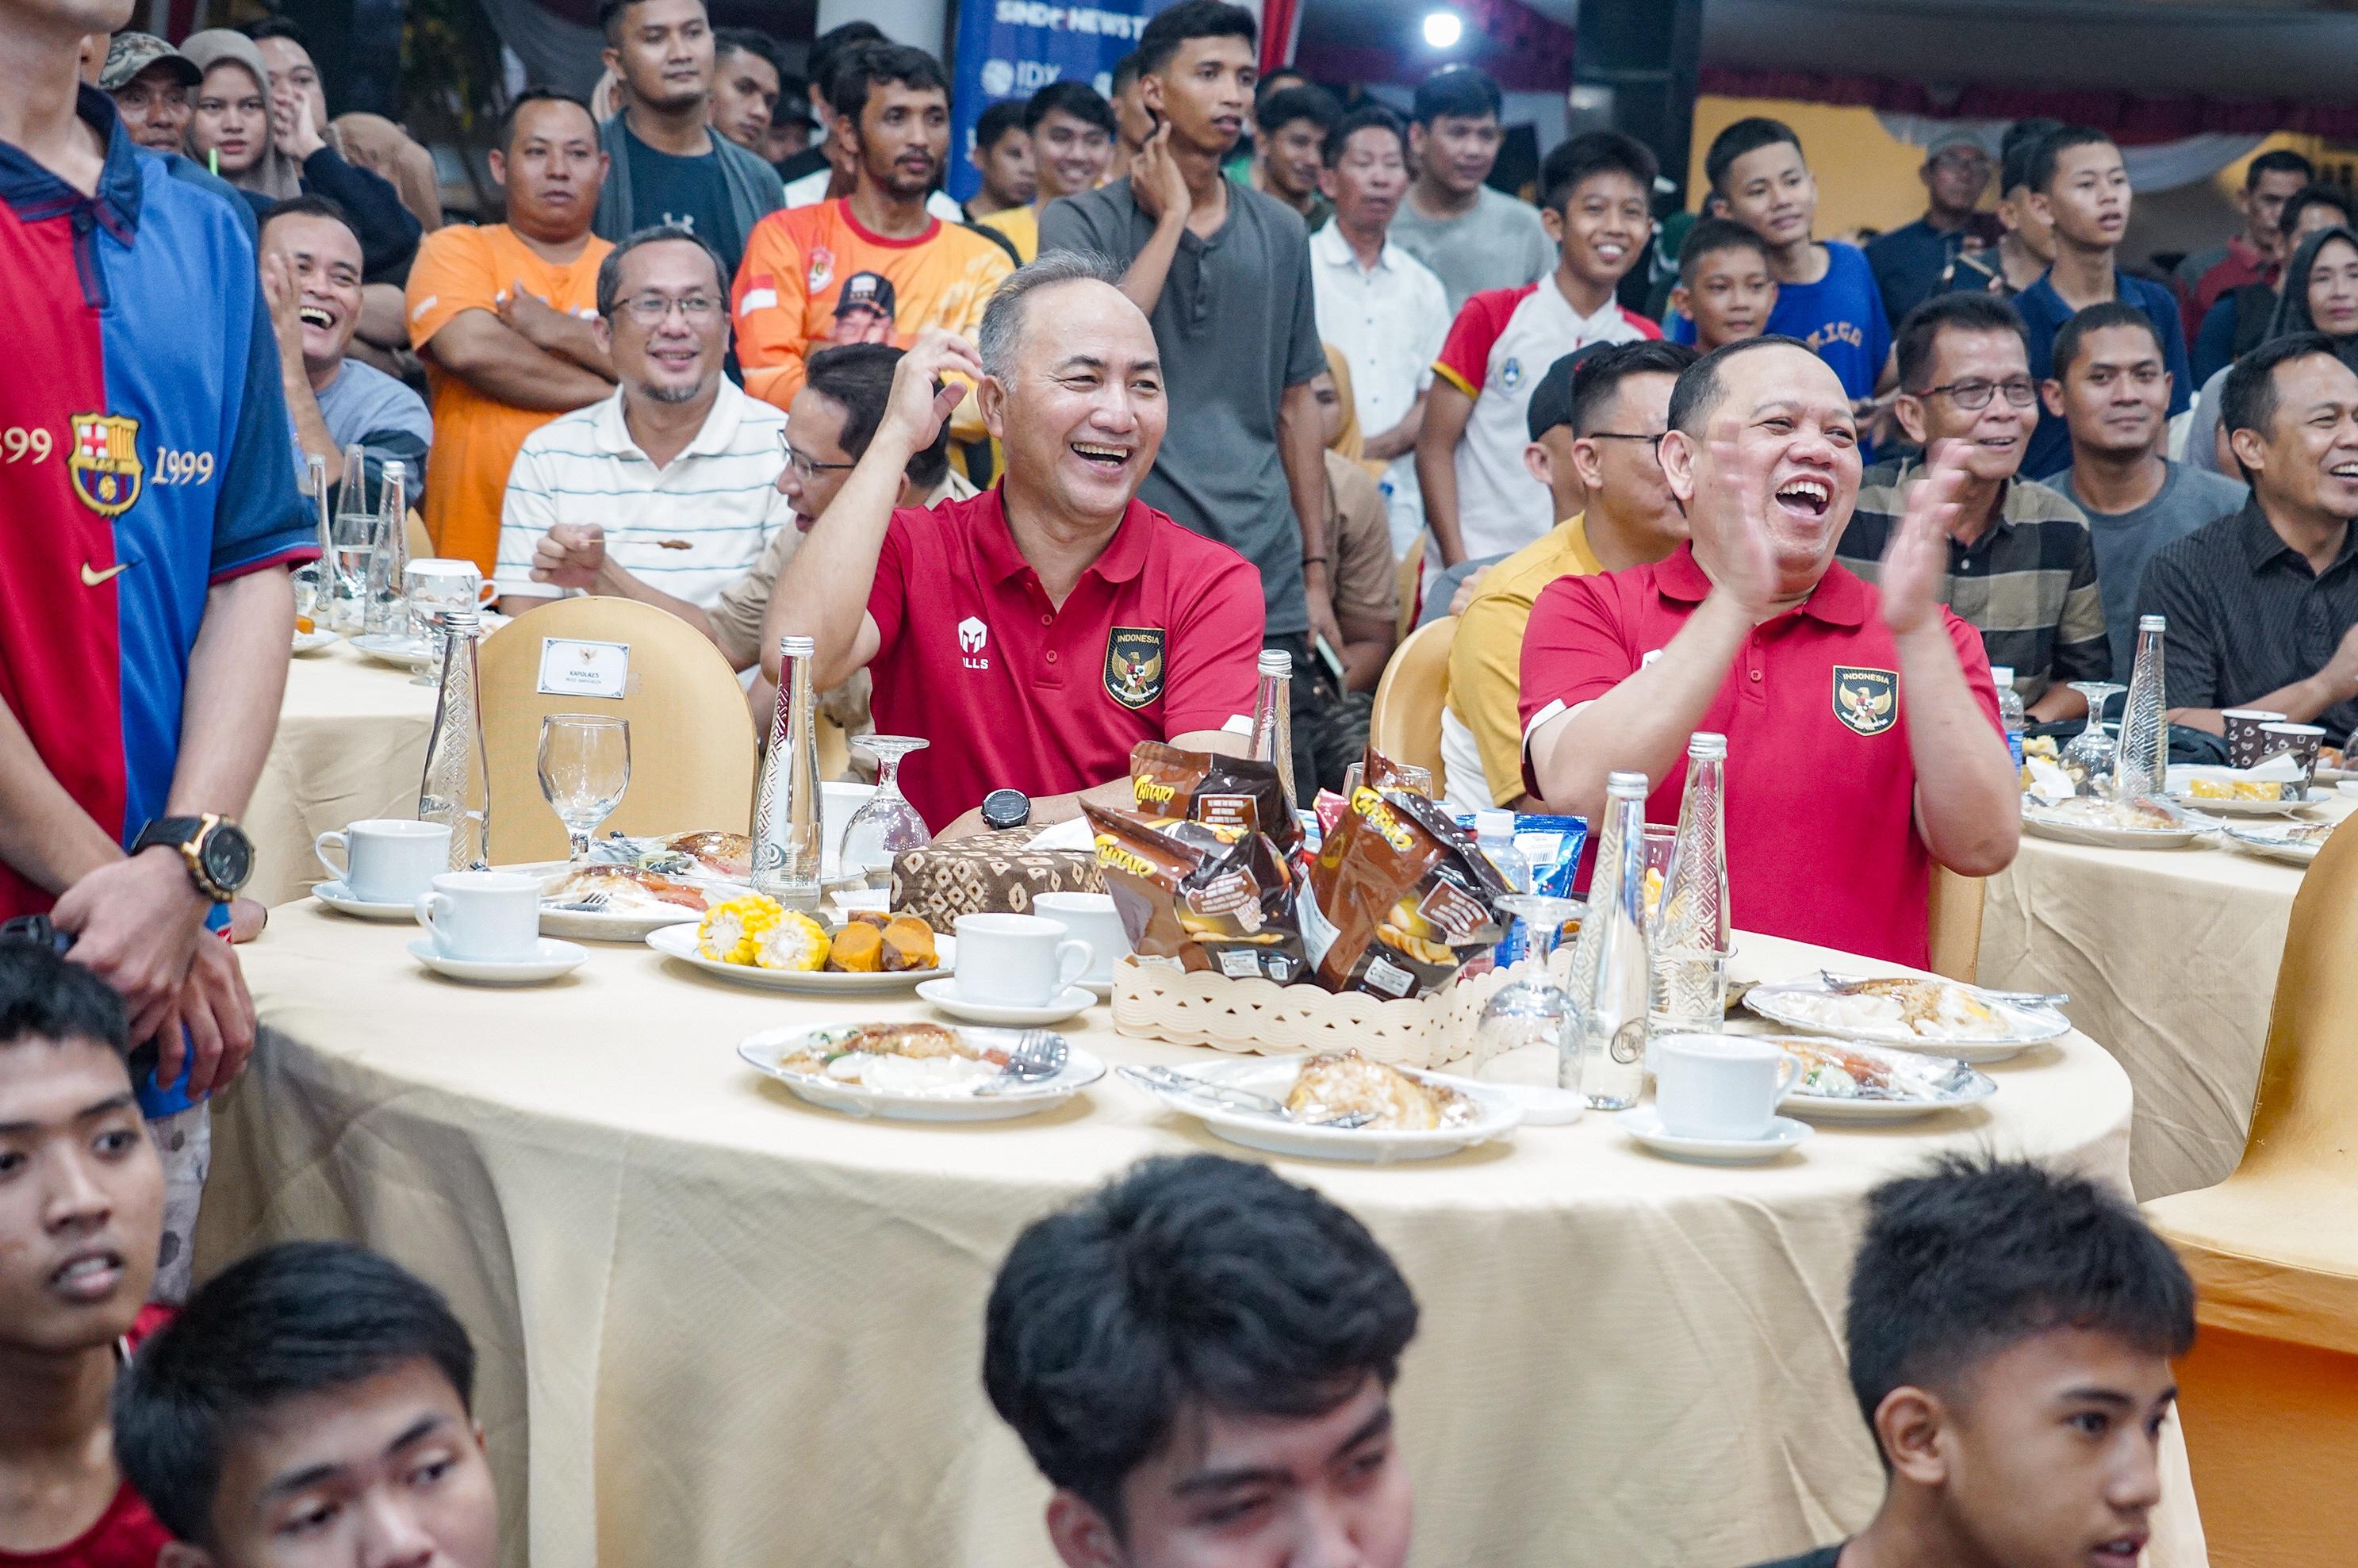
x: 914, y: 1072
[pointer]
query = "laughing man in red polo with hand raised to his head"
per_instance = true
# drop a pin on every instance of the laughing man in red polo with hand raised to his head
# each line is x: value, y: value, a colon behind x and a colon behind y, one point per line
x: 1043, y: 628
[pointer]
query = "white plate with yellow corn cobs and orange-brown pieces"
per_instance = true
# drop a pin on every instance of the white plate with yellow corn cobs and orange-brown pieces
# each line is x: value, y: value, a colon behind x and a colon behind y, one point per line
x: 775, y: 949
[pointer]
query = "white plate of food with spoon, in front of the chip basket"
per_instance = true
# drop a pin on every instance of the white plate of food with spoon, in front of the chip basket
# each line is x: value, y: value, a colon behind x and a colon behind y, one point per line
x: 1416, y: 1116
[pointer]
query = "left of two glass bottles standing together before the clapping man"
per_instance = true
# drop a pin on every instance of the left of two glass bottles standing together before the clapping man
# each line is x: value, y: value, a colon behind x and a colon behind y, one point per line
x: 1614, y: 982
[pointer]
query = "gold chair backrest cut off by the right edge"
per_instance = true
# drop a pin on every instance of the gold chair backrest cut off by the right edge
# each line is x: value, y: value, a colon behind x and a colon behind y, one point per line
x: 2307, y: 1105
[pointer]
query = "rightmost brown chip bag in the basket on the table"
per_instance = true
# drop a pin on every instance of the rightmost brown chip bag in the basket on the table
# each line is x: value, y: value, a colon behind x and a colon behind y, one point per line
x: 1399, y: 900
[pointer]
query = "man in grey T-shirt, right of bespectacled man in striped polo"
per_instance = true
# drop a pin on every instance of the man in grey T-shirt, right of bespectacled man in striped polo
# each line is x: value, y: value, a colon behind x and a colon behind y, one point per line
x: 2112, y: 390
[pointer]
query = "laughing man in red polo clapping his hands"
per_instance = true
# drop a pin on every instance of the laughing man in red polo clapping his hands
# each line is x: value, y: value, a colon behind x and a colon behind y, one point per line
x: 1864, y: 734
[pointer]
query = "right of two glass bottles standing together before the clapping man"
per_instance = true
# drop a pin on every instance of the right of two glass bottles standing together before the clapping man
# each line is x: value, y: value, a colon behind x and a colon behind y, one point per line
x: 1690, y: 937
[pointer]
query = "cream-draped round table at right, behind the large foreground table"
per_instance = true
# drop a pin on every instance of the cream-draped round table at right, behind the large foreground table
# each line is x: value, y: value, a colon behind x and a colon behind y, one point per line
x: 2171, y: 958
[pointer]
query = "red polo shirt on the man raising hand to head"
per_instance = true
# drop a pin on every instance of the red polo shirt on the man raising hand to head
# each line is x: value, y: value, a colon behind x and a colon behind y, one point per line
x: 1159, y: 638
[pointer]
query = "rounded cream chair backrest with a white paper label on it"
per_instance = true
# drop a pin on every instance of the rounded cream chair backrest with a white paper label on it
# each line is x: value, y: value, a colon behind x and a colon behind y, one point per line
x: 692, y: 751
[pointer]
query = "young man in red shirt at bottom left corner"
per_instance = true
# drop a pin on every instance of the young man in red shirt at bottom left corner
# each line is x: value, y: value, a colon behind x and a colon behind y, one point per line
x: 81, y: 1215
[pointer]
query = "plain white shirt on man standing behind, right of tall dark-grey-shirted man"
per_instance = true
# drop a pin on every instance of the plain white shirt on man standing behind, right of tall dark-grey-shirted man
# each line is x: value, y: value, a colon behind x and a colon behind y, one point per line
x: 1388, y: 322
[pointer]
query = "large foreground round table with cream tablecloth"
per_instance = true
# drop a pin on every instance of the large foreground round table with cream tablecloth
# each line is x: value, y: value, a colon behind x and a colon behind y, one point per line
x: 720, y: 1326
